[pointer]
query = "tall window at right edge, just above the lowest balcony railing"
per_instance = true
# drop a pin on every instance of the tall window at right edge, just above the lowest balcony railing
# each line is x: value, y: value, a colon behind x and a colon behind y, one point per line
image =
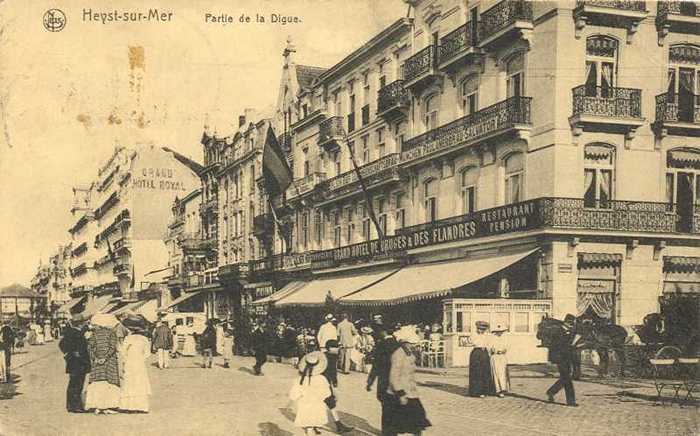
x: 683, y: 184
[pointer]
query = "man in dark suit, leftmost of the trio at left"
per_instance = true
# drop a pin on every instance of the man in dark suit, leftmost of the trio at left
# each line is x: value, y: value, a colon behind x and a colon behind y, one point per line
x: 75, y: 352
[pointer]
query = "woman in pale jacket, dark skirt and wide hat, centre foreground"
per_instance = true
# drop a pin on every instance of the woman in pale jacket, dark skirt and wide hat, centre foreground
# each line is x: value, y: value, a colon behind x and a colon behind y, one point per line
x: 404, y: 412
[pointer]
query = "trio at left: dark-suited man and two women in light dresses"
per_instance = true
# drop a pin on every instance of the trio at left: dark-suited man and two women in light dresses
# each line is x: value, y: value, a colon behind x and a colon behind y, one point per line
x: 113, y: 352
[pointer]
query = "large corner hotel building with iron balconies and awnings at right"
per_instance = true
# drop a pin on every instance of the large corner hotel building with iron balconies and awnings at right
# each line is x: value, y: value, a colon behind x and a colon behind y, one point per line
x: 522, y: 158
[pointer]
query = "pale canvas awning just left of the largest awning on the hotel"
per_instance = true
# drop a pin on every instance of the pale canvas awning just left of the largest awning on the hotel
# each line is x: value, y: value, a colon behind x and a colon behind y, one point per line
x: 314, y: 293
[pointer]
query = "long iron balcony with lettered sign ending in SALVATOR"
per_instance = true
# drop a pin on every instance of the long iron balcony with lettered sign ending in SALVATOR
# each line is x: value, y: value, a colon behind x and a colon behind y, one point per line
x: 511, y: 116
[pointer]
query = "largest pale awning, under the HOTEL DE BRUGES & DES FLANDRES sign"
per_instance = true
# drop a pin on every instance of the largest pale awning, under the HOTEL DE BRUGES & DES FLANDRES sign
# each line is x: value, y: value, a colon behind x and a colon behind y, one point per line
x: 418, y: 282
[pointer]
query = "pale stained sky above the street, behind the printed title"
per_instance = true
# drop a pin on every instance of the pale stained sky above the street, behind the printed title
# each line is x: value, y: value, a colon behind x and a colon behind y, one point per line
x: 68, y: 97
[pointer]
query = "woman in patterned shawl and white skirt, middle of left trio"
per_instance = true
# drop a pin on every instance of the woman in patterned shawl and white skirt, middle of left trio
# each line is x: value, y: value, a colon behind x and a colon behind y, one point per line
x: 103, y: 390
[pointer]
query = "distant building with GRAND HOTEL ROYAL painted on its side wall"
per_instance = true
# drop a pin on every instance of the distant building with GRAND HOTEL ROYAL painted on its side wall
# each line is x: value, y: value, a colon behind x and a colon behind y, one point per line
x: 120, y: 219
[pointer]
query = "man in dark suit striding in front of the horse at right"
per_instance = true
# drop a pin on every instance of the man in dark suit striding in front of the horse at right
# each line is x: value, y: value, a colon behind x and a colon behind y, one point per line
x: 562, y: 354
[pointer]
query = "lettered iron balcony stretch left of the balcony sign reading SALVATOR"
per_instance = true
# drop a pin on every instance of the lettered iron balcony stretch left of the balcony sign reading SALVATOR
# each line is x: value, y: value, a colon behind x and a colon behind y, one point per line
x: 380, y: 171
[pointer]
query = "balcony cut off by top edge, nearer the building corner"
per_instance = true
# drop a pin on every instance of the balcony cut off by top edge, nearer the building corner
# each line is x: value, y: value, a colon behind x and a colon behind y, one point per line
x: 610, y: 13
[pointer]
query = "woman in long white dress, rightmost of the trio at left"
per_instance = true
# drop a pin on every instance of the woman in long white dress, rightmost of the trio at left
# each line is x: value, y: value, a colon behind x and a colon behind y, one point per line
x: 136, y: 387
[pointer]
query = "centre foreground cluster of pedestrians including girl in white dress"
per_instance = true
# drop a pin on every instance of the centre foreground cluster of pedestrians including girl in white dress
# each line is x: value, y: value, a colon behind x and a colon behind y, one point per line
x: 393, y: 369
